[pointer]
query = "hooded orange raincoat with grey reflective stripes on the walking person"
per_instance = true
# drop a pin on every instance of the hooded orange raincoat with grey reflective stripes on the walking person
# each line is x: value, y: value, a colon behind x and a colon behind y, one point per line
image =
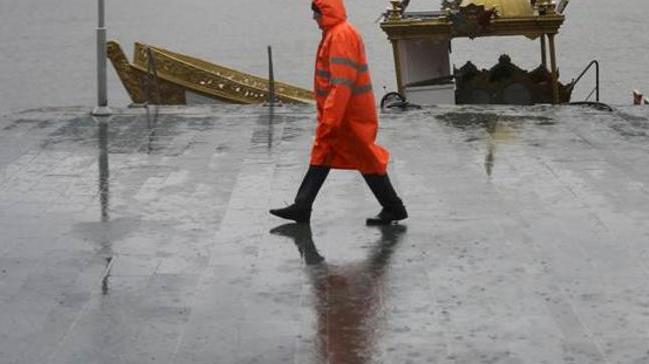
x: 347, y: 119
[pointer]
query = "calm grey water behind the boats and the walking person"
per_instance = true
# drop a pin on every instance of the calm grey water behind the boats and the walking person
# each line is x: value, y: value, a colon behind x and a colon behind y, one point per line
x: 47, y: 48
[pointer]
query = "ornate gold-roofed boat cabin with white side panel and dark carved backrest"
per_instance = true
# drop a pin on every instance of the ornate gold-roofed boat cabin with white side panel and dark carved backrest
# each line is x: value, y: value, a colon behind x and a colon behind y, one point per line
x: 421, y: 44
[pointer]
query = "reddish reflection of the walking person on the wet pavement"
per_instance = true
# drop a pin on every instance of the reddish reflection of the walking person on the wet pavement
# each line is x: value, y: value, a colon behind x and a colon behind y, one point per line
x: 348, y: 298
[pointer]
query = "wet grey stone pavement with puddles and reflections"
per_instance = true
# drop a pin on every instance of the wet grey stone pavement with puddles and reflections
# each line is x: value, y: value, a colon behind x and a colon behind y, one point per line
x: 146, y: 238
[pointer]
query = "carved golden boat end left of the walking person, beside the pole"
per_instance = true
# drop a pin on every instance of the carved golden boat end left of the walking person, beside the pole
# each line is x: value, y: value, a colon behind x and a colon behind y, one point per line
x: 160, y: 76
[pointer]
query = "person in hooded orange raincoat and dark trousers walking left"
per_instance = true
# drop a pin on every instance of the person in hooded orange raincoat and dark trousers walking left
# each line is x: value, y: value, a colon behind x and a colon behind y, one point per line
x: 347, y: 121
